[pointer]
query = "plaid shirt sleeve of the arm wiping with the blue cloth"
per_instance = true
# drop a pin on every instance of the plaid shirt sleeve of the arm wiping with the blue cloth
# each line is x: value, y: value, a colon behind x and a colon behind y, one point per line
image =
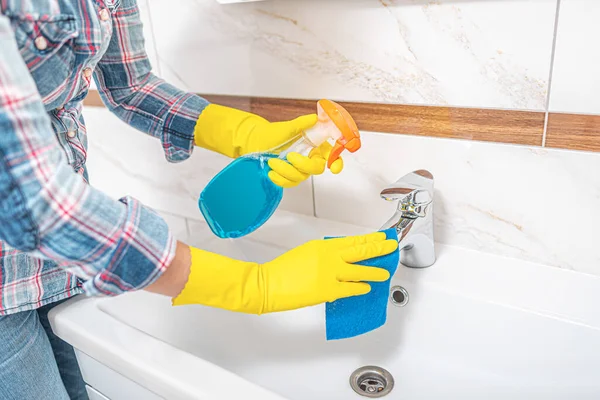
x: 49, y: 211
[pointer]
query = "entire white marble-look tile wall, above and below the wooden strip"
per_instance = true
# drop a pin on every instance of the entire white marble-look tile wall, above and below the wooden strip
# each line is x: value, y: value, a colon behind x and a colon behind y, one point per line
x: 518, y: 201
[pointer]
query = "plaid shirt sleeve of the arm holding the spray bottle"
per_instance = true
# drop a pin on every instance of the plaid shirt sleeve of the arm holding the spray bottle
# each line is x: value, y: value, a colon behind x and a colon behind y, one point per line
x: 131, y: 91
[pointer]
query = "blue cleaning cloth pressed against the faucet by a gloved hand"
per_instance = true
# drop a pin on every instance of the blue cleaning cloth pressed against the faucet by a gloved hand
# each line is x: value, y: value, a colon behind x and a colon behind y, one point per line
x: 353, y: 316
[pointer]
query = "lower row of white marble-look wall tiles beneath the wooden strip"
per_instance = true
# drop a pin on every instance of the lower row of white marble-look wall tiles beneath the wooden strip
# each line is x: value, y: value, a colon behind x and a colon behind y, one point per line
x: 525, y: 202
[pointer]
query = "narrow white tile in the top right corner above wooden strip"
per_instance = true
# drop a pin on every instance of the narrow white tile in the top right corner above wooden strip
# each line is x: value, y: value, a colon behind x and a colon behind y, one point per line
x: 575, y: 82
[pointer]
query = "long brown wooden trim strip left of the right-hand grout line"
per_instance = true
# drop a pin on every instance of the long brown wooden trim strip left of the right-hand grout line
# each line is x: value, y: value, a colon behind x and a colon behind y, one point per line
x: 501, y: 126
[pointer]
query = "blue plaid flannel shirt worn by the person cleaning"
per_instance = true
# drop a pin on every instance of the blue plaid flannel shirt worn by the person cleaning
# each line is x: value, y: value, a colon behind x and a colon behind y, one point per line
x: 60, y: 236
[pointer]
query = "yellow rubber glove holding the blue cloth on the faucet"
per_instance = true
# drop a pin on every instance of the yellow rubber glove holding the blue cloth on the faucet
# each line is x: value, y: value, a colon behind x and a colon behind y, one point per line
x: 316, y: 272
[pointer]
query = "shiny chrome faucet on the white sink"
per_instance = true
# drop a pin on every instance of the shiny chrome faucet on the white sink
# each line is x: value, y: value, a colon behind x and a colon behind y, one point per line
x: 413, y: 219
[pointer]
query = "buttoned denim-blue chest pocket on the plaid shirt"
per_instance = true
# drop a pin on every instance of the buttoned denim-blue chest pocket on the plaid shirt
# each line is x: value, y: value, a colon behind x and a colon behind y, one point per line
x: 46, y: 44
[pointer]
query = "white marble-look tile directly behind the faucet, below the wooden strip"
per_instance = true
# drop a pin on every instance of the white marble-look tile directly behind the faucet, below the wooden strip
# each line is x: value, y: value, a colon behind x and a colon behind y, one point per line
x: 530, y: 203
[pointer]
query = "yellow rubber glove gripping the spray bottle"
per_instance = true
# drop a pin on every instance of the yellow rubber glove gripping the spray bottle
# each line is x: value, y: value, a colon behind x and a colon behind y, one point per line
x: 234, y: 133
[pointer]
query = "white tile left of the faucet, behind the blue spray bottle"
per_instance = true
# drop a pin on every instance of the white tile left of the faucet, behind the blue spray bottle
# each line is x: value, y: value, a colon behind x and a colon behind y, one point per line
x: 123, y: 161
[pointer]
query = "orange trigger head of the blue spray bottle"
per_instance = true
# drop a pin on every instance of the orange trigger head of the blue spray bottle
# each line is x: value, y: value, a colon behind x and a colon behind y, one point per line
x: 350, y: 137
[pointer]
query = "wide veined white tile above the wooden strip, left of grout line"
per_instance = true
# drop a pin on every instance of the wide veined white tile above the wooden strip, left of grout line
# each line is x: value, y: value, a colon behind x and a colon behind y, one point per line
x: 492, y: 53
